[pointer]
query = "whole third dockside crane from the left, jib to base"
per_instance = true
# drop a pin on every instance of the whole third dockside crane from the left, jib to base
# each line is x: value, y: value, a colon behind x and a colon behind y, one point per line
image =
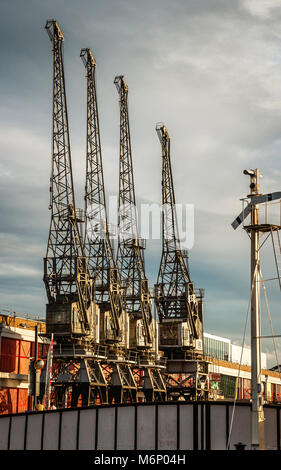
x: 130, y: 259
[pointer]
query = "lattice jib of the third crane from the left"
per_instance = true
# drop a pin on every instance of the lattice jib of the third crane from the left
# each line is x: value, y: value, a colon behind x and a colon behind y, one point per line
x: 130, y: 256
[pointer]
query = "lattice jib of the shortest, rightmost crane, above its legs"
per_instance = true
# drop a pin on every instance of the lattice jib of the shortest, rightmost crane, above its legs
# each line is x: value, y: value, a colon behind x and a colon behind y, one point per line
x: 175, y: 296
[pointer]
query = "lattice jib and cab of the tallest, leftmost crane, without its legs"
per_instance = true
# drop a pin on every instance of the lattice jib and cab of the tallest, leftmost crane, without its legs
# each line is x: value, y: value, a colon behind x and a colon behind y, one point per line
x: 66, y: 273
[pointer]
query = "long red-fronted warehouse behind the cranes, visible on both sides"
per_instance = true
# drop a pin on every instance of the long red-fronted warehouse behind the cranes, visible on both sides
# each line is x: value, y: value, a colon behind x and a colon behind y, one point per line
x: 17, y: 347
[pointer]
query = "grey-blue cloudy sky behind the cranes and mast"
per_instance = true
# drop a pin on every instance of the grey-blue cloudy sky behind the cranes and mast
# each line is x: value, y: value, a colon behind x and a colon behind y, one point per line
x: 209, y: 69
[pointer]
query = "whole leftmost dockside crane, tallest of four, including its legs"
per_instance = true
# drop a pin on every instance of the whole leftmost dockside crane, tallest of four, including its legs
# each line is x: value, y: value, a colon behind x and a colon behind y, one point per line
x: 72, y: 316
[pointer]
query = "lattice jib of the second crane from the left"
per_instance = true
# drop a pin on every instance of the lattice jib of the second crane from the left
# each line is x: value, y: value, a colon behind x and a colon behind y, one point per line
x: 103, y: 268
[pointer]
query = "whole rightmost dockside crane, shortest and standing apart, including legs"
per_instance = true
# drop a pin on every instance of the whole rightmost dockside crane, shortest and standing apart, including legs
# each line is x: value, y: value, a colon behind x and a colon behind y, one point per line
x: 179, y: 306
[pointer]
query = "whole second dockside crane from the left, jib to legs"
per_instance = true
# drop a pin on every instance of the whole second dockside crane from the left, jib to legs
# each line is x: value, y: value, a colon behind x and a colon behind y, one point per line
x: 103, y: 268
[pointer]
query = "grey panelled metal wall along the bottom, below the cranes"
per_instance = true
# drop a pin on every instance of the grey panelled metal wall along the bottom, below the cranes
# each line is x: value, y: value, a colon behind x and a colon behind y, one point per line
x: 171, y: 426
